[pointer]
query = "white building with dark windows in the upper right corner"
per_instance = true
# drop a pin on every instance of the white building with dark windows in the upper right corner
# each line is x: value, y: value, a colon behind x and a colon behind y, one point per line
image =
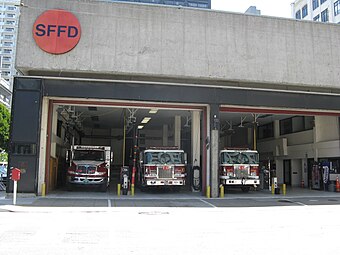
x: 317, y: 10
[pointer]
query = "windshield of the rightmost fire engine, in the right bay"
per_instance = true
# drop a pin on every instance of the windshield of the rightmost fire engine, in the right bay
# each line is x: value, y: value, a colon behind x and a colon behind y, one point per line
x: 238, y: 157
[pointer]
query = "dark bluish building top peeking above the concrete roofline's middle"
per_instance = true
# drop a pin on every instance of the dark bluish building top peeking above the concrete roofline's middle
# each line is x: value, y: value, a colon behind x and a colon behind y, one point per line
x: 205, y: 4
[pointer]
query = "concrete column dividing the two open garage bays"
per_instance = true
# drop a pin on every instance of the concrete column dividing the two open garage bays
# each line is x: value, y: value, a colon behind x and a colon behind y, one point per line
x: 214, y: 145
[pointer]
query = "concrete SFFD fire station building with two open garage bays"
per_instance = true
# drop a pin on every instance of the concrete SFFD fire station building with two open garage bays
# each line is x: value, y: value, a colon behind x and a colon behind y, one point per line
x: 91, y: 71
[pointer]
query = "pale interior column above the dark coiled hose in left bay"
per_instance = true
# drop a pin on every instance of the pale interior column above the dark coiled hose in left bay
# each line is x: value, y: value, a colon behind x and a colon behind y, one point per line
x: 195, y: 138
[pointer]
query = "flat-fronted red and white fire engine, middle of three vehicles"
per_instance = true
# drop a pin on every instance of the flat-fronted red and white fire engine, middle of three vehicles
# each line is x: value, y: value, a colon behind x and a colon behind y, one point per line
x: 162, y: 166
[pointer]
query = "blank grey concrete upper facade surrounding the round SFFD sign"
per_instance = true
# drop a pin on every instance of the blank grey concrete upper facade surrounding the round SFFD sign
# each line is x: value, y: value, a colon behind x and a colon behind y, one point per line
x: 182, y: 43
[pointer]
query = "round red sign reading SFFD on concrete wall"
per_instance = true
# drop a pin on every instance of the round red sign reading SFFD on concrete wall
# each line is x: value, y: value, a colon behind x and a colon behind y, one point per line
x: 56, y: 31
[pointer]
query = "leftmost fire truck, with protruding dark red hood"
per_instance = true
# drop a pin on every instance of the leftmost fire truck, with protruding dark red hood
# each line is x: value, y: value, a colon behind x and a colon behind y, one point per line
x: 89, y: 166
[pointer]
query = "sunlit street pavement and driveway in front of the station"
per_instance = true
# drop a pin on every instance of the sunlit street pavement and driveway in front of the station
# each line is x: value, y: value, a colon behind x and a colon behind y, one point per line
x: 83, y: 222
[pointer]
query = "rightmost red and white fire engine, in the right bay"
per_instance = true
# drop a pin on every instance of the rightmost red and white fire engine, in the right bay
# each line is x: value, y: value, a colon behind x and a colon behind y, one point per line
x: 239, y: 168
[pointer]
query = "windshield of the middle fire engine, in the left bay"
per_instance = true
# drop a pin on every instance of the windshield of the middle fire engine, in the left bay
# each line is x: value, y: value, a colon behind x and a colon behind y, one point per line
x: 164, y: 157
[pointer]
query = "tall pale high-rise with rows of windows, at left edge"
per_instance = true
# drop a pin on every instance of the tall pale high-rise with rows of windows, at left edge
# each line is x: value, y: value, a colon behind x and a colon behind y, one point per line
x: 9, y: 17
